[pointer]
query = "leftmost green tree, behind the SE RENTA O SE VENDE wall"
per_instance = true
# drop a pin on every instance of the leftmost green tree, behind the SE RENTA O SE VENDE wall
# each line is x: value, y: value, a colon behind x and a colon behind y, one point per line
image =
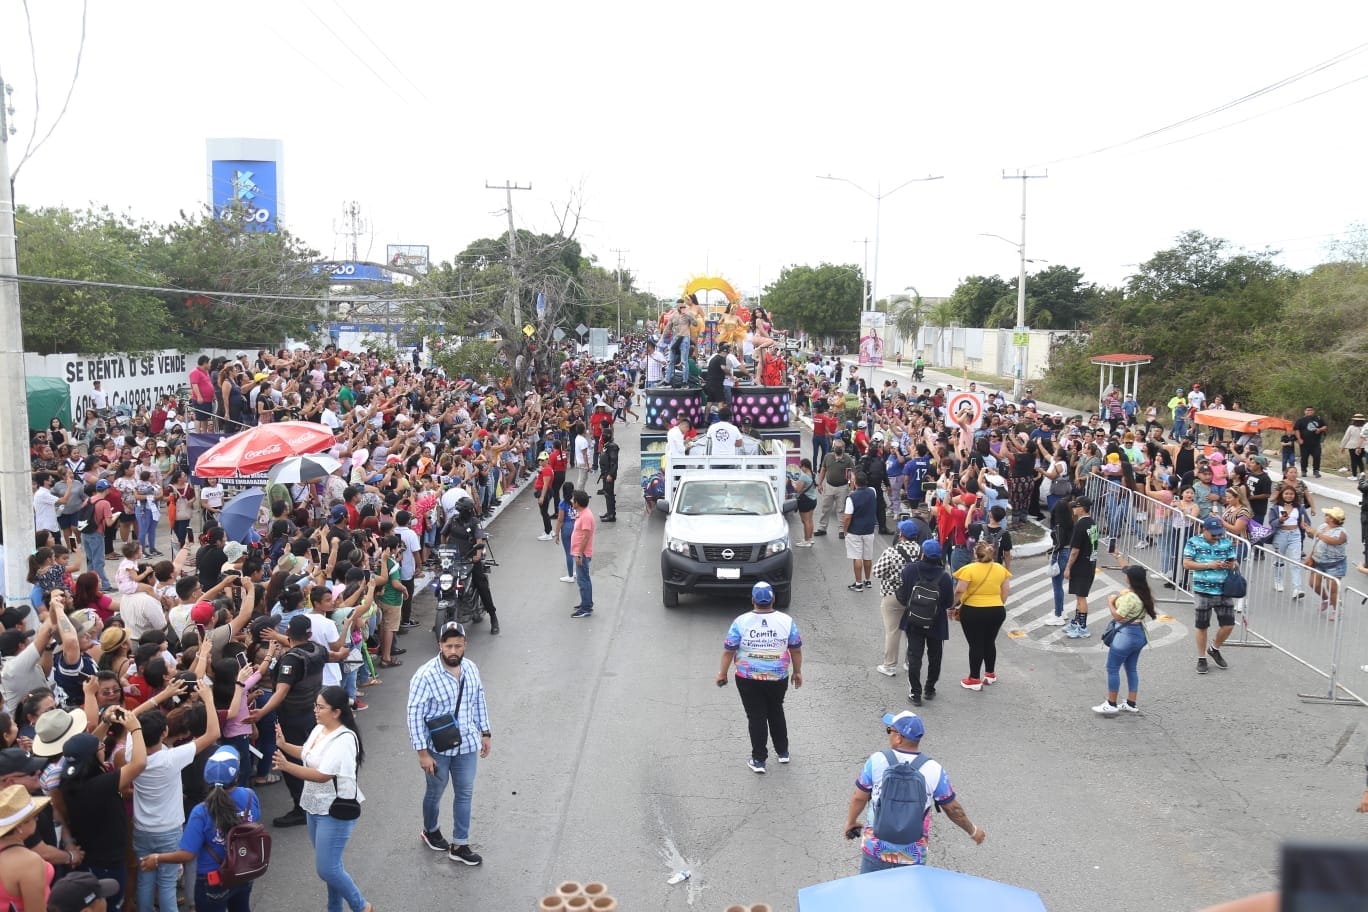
x: 94, y: 247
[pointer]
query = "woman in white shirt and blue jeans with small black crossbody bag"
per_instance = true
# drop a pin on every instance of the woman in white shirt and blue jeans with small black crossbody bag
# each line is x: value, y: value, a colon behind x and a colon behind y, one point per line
x: 329, y: 762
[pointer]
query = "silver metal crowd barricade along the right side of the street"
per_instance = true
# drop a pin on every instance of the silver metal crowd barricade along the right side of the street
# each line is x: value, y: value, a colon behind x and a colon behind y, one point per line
x: 1299, y: 611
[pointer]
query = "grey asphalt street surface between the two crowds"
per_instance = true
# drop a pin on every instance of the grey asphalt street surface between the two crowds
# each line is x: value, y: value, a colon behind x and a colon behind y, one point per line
x: 618, y: 760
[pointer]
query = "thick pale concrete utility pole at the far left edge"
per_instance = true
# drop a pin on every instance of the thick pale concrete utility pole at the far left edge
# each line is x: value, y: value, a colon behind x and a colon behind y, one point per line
x: 16, y: 481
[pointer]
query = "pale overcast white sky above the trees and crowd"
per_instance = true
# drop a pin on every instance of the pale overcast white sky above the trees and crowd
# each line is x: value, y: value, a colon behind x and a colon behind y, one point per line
x: 692, y: 136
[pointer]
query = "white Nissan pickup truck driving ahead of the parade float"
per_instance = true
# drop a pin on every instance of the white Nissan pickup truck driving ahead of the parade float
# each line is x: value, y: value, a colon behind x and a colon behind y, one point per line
x: 727, y: 526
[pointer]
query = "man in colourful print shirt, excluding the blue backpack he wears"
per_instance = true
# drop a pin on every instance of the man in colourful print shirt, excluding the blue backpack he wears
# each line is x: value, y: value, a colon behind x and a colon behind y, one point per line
x: 905, y: 738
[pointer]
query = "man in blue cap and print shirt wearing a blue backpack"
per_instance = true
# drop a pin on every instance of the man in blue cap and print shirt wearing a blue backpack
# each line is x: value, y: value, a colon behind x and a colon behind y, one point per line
x: 899, y: 787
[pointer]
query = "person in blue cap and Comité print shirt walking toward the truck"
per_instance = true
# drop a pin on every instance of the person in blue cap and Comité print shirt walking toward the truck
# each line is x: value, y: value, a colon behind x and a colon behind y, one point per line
x: 768, y: 650
